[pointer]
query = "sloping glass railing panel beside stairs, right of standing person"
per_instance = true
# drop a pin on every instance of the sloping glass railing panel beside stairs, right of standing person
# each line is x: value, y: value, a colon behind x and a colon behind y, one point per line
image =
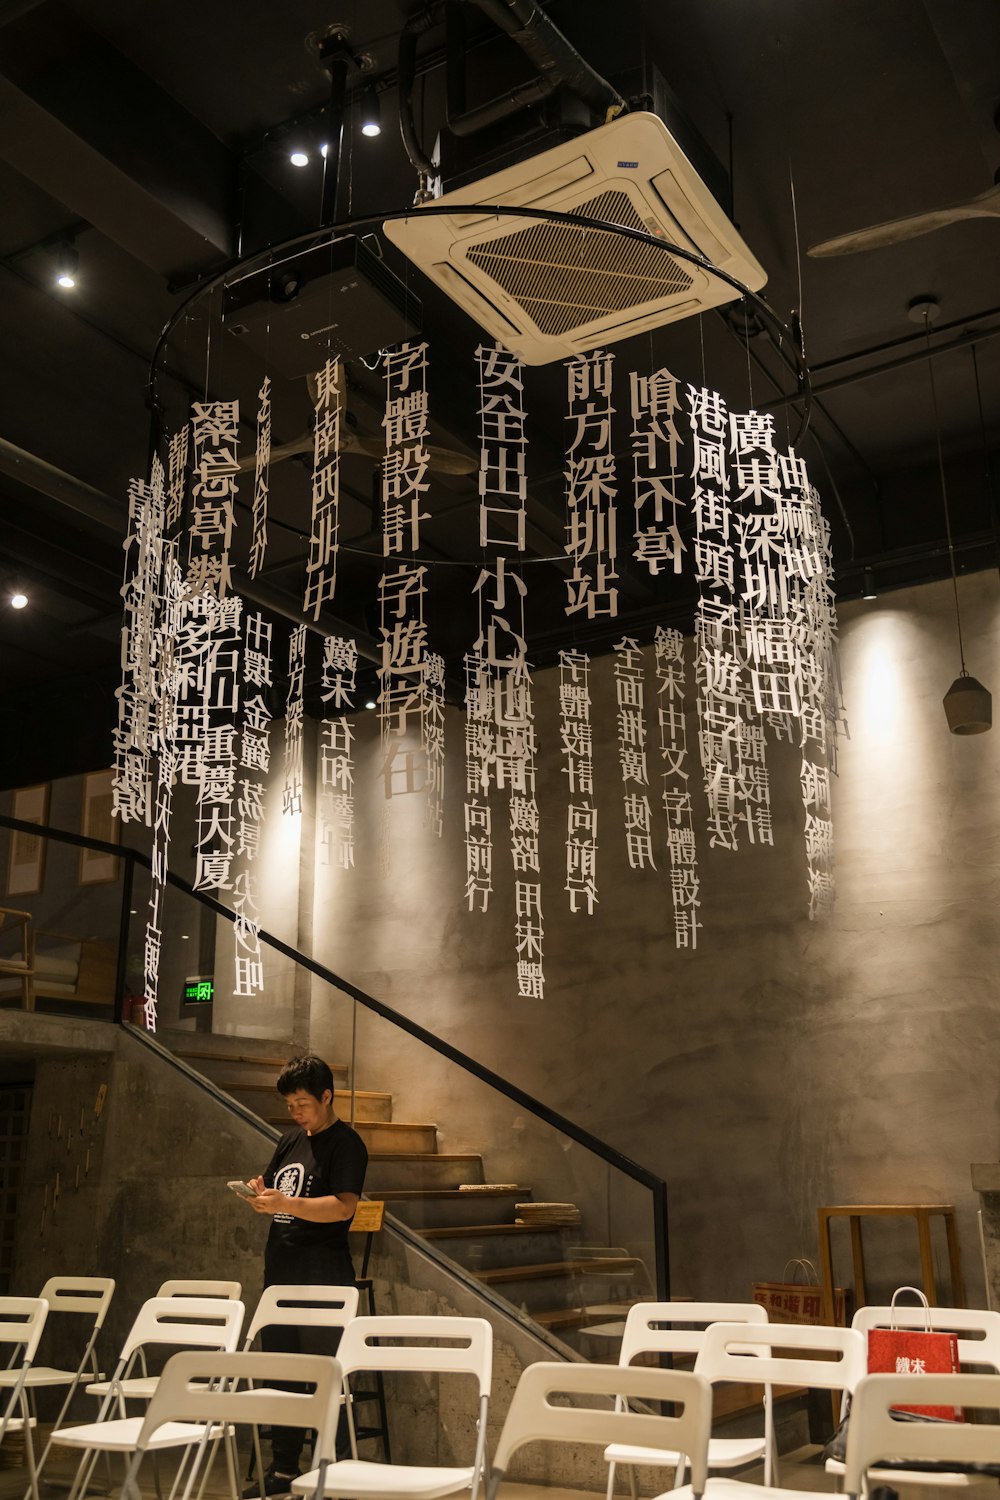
x: 566, y: 1238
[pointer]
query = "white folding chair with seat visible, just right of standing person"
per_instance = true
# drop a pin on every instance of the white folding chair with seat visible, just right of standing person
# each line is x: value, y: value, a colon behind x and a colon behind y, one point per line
x: 470, y: 1352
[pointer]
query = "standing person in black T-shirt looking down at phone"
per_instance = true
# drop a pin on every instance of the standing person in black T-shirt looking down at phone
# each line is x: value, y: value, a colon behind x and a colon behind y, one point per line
x: 310, y: 1189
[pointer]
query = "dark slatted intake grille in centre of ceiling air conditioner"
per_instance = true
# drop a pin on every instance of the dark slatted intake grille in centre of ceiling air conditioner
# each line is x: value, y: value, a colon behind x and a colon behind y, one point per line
x: 564, y: 277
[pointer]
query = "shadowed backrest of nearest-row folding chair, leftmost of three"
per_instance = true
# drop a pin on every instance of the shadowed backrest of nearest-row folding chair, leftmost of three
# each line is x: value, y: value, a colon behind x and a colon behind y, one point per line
x: 194, y: 1390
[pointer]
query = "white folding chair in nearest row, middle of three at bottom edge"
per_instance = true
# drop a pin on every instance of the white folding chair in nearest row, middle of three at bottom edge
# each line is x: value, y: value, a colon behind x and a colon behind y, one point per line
x: 534, y: 1417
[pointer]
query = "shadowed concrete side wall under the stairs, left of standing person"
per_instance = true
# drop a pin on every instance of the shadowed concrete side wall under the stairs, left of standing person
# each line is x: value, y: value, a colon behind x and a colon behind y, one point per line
x: 152, y: 1204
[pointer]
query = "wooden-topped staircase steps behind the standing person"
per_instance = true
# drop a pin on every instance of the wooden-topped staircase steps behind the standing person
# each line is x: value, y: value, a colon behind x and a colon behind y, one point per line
x: 539, y: 1270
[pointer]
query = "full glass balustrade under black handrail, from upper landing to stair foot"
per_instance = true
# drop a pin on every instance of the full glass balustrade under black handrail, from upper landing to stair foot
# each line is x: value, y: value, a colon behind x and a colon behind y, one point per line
x: 545, y: 1217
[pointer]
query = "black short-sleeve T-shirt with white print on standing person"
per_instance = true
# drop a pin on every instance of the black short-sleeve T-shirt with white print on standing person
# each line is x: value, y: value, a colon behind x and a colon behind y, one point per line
x: 319, y: 1166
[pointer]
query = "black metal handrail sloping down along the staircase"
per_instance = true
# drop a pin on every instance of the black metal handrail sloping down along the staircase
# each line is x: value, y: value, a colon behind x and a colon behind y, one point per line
x: 543, y: 1112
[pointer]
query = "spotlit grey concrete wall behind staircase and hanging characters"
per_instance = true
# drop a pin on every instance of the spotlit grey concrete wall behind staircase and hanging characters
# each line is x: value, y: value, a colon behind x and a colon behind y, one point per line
x: 785, y: 1064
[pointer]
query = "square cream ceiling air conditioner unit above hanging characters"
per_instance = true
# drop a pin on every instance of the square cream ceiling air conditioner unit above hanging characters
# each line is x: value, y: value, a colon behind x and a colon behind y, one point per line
x: 551, y: 290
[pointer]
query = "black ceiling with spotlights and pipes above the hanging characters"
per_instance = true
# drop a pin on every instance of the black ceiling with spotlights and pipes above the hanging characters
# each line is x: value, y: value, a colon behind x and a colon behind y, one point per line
x: 154, y: 137
